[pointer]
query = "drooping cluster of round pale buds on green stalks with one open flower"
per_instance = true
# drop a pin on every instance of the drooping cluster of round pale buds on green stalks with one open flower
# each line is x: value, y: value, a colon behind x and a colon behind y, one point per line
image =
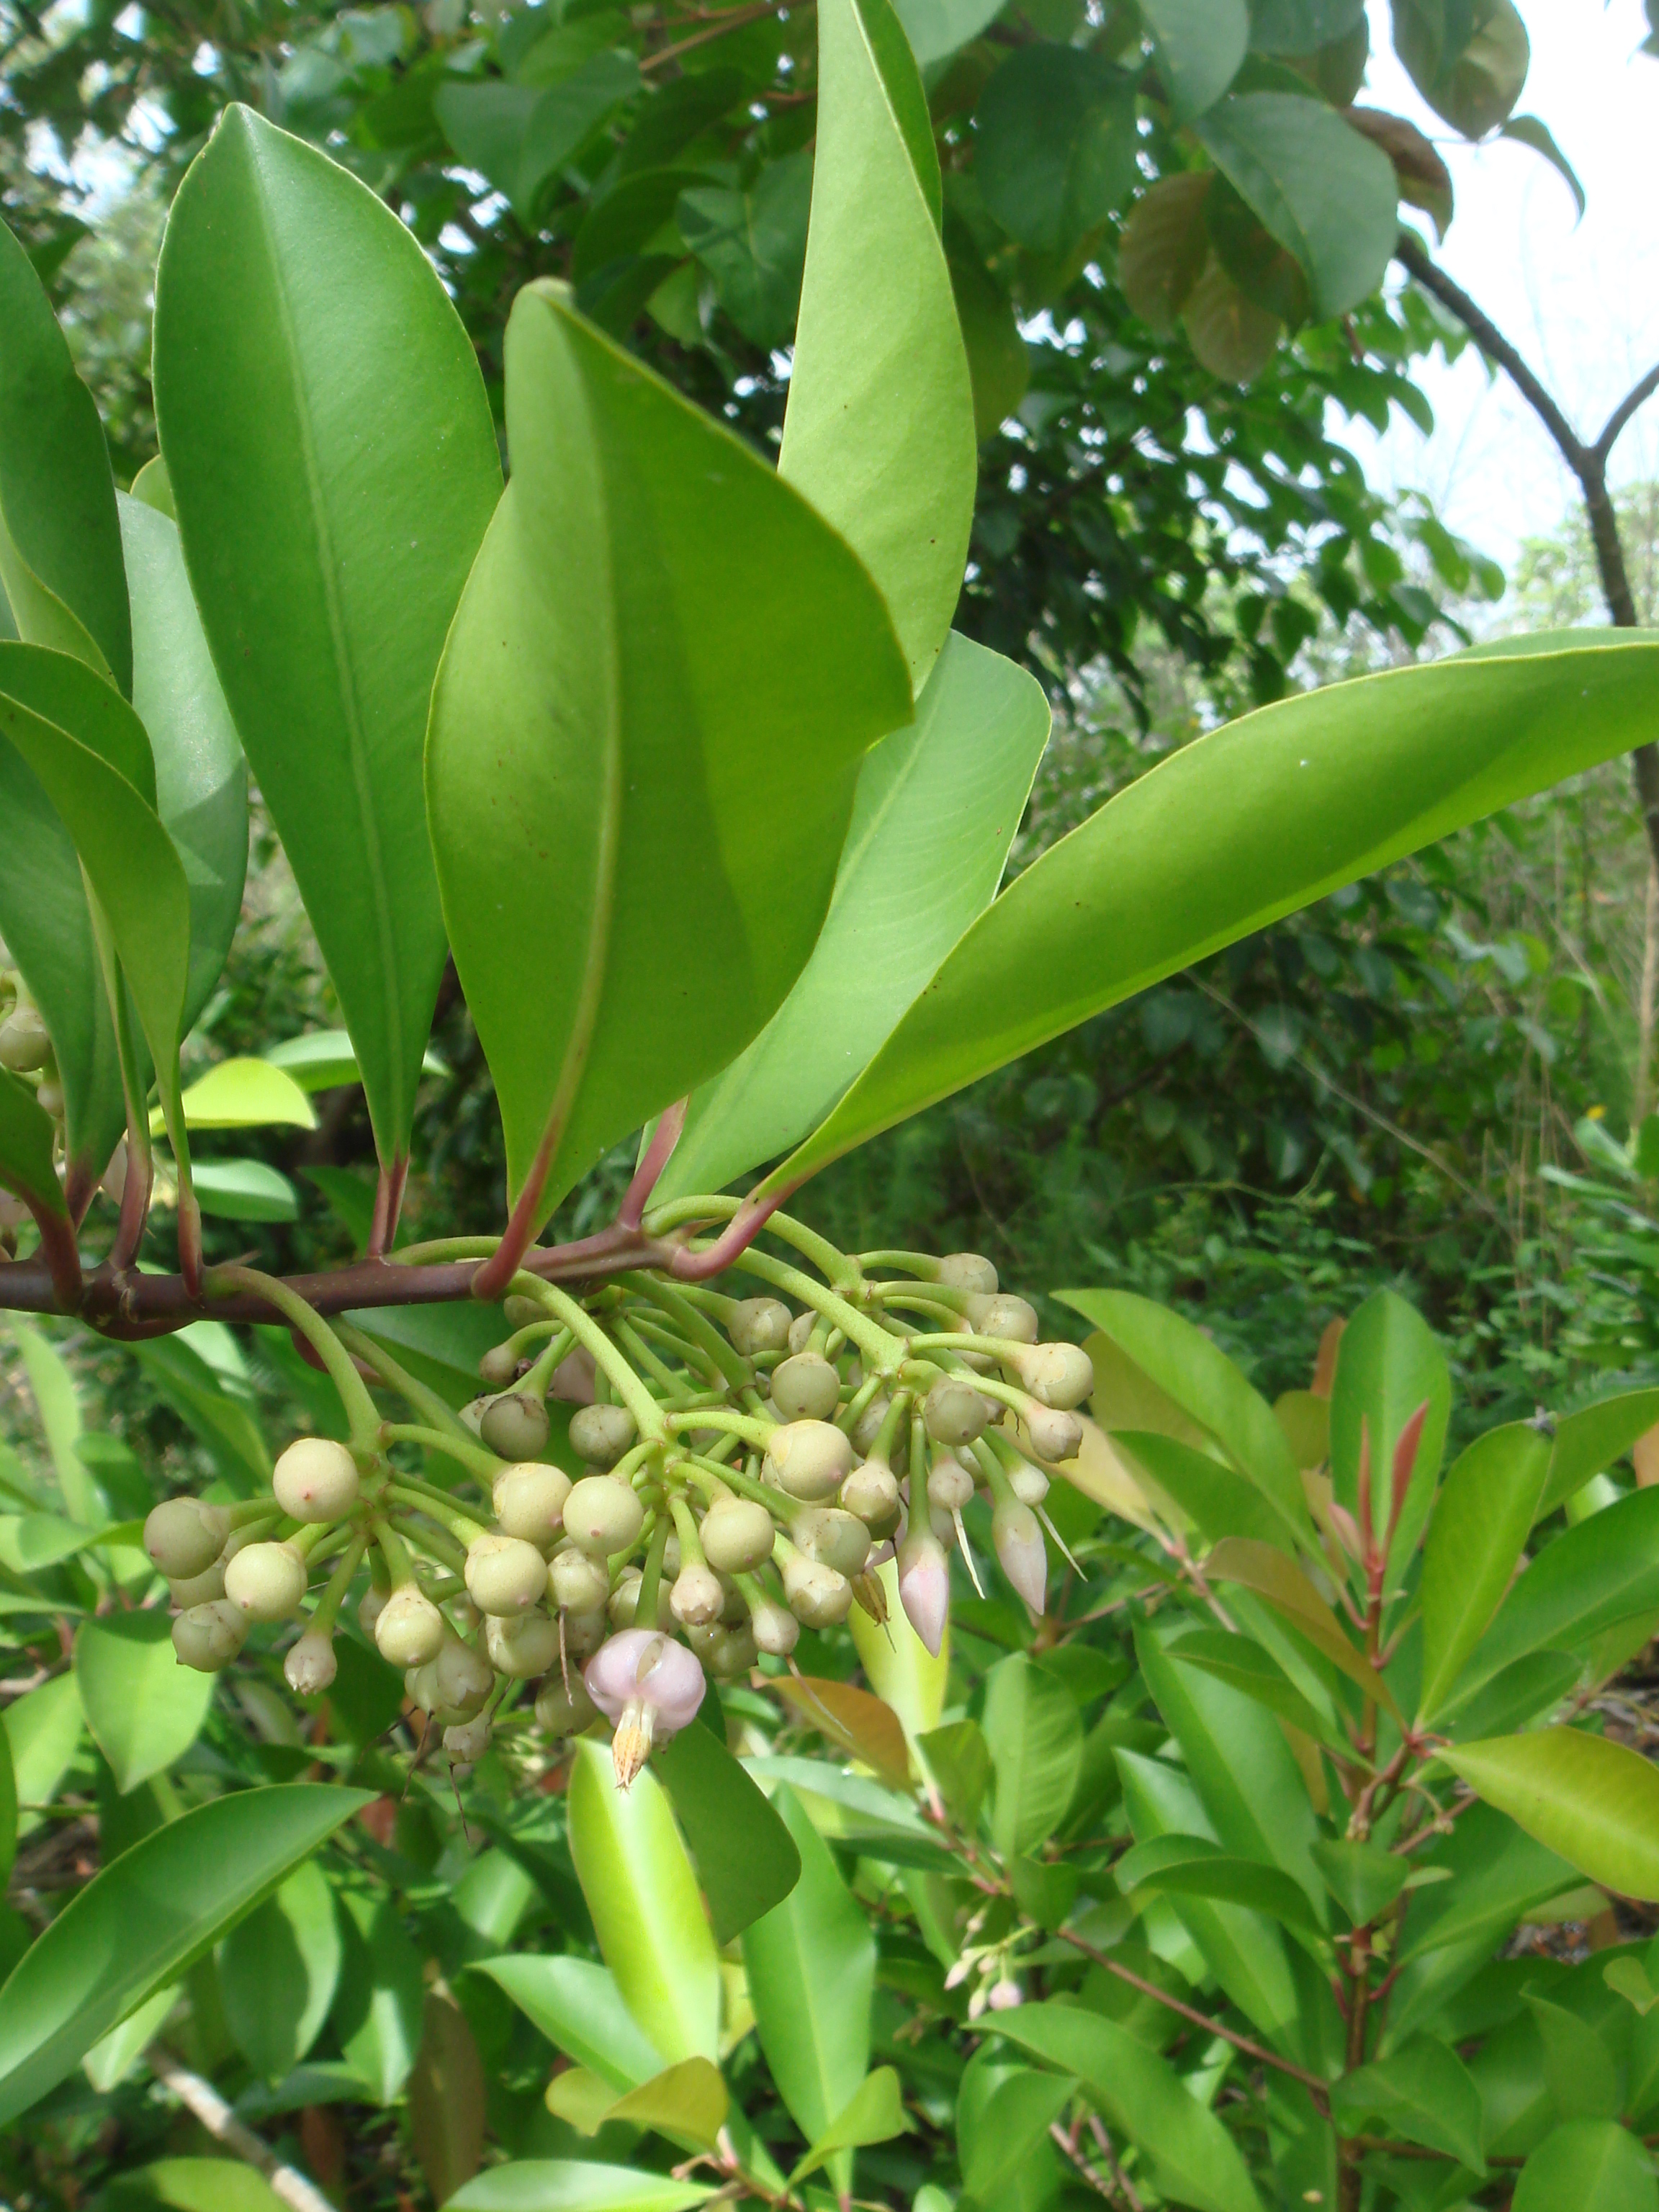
x: 751, y: 1463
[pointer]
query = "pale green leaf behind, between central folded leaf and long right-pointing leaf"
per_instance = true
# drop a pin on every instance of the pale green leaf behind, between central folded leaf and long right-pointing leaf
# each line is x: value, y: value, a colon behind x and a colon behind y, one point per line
x: 932, y: 824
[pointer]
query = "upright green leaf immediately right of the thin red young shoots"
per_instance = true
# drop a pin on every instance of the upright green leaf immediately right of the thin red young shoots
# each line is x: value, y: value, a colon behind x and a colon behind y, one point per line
x: 1481, y: 1523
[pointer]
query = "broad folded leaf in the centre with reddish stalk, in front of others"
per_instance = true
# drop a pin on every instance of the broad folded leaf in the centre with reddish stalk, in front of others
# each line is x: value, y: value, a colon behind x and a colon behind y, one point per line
x: 645, y: 747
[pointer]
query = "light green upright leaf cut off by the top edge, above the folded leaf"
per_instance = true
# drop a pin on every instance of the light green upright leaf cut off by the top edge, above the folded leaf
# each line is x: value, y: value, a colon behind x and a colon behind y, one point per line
x: 879, y: 432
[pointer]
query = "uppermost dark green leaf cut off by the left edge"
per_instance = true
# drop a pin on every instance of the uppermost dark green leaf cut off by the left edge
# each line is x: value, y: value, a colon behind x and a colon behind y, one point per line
x: 61, y: 543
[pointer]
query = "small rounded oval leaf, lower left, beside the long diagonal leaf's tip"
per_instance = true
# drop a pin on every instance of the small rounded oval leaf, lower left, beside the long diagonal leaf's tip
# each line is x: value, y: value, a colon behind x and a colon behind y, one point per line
x: 280, y: 1972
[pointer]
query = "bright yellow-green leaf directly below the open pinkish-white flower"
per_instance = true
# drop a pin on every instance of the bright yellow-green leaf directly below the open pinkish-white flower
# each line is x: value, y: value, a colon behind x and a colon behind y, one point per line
x: 645, y: 1906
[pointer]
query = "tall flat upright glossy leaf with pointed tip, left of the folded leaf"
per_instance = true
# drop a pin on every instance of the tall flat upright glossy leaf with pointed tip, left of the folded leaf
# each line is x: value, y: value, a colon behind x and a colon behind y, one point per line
x: 333, y: 468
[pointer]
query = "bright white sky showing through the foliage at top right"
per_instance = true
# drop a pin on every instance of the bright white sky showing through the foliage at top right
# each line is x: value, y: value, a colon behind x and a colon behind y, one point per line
x: 1578, y: 298
